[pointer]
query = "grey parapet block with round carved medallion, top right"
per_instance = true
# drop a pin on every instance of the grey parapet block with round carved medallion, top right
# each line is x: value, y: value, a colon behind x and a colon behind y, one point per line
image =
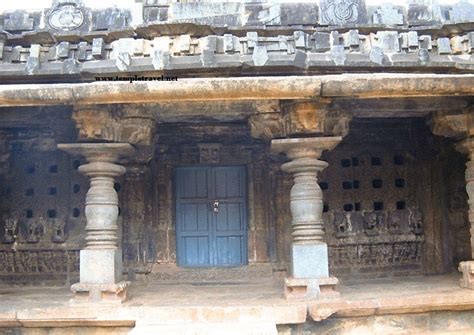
x: 342, y: 12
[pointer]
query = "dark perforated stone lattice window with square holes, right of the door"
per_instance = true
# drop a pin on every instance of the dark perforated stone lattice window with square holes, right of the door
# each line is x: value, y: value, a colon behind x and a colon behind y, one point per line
x: 366, y: 182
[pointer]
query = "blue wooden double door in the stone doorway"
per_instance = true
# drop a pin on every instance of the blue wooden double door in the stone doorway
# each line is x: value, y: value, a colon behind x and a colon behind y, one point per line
x: 211, y: 216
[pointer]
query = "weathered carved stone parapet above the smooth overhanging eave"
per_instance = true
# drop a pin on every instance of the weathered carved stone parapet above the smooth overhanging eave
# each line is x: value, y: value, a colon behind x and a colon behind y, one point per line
x: 234, y: 39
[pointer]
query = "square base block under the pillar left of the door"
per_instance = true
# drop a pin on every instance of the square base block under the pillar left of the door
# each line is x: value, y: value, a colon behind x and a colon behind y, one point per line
x: 99, y: 293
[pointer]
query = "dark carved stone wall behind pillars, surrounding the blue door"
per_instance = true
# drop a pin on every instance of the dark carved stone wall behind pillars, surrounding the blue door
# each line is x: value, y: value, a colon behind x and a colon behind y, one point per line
x: 394, y: 201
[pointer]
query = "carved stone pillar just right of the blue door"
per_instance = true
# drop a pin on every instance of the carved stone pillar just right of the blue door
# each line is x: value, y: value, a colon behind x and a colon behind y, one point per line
x: 309, y: 271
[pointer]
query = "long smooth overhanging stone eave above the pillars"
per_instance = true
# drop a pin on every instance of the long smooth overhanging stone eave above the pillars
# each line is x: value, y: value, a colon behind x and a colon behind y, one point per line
x: 241, y: 88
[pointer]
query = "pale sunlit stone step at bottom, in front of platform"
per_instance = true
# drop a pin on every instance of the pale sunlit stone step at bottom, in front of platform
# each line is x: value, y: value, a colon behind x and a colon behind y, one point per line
x: 227, y: 328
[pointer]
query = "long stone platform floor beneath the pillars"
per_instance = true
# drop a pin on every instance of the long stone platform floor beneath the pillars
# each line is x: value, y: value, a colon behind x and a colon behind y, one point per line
x: 211, y: 308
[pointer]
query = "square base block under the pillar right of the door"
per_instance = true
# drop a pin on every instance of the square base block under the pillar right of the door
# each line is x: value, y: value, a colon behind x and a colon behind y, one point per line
x: 309, y: 289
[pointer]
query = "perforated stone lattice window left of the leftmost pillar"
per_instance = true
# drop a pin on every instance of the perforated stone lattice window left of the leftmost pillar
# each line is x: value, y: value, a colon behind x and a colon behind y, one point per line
x: 46, y: 186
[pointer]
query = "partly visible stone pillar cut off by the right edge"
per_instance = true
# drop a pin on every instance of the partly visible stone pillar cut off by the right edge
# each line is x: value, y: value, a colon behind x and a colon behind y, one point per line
x: 467, y: 268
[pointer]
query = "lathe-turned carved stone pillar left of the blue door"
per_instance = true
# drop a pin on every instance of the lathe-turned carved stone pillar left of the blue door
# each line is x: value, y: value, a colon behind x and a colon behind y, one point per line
x: 101, y: 258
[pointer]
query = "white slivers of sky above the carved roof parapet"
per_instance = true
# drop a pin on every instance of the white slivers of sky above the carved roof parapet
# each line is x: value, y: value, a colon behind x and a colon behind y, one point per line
x: 40, y: 4
